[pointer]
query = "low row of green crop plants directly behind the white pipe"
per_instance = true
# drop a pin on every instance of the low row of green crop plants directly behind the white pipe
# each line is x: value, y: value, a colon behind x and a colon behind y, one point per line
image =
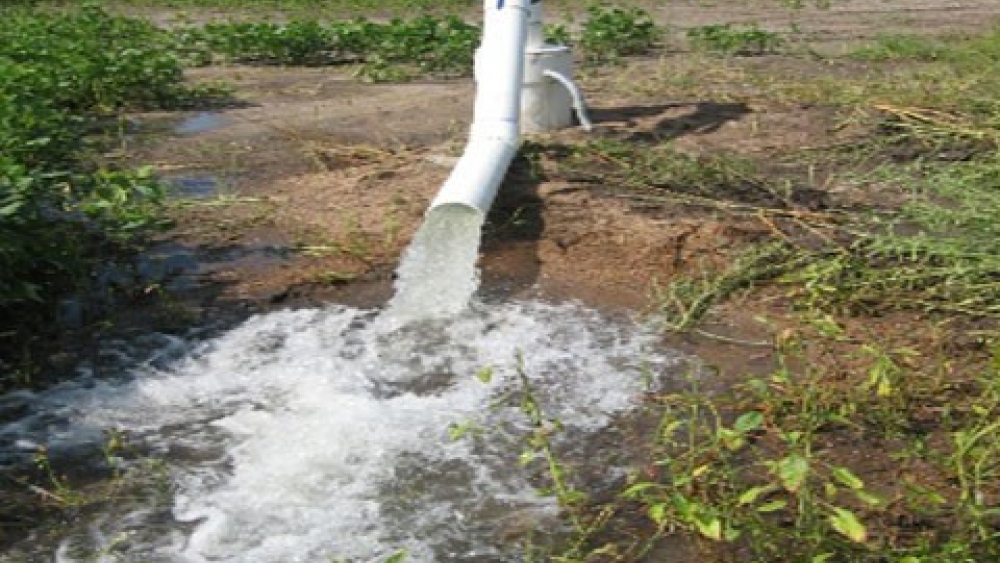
x: 400, y: 49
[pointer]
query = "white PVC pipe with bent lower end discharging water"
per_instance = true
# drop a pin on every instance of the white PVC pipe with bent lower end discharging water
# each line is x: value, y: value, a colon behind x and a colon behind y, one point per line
x: 495, y: 134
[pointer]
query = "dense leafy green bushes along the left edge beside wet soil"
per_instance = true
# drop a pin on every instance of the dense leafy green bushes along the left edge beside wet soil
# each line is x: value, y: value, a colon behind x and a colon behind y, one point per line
x: 63, y: 78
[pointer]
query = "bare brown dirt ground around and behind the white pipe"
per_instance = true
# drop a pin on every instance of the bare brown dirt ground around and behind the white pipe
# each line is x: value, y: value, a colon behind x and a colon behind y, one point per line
x: 308, y: 189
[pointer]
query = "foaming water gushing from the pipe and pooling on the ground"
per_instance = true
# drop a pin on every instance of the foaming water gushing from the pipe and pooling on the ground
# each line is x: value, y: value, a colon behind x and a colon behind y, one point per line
x: 342, y: 434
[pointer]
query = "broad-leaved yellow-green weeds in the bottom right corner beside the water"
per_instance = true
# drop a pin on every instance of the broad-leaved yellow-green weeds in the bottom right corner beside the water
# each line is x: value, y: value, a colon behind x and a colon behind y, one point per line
x: 759, y: 475
